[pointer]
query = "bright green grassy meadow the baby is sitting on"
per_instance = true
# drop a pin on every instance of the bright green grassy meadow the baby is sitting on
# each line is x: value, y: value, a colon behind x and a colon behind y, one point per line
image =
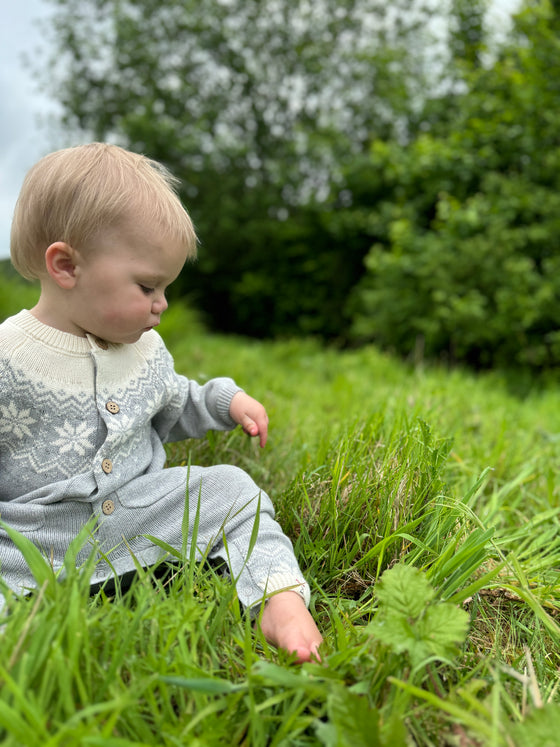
x: 423, y: 504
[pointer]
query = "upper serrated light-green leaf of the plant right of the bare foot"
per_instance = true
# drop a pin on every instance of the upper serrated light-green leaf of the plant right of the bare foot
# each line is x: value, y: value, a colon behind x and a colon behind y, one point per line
x: 404, y: 589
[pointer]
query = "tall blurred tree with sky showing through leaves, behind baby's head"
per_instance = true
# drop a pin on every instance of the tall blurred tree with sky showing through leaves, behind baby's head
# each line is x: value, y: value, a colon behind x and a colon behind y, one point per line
x: 256, y: 105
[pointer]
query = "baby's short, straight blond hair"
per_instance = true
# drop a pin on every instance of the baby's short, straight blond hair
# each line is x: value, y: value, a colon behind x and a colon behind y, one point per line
x: 71, y: 195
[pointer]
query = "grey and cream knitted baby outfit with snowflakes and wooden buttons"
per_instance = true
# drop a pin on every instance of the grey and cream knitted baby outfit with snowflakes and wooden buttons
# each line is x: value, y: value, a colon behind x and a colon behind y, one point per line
x: 82, y: 427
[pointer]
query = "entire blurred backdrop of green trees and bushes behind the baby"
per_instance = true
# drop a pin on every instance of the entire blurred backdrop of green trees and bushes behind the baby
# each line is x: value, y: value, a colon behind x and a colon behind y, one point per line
x: 349, y: 178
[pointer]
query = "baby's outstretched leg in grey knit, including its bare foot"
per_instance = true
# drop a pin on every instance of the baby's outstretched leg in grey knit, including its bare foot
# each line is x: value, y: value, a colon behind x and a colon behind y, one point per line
x: 225, y: 510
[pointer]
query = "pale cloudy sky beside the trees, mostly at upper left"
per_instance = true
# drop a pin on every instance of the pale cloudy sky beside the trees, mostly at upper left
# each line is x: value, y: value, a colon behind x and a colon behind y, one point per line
x: 25, y: 135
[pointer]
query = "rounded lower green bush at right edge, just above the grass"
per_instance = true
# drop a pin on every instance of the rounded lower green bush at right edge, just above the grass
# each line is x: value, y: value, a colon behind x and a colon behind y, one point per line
x: 481, y: 285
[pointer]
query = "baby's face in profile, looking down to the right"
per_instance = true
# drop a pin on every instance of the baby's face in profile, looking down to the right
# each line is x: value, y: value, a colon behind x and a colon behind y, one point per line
x: 121, y: 283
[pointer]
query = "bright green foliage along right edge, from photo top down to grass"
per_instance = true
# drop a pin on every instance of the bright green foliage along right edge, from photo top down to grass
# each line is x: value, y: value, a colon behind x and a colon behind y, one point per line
x: 465, y: 220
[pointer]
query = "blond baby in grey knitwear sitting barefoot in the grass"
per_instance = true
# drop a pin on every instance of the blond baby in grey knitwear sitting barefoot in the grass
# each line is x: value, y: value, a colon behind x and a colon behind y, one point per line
x: 89, y: 395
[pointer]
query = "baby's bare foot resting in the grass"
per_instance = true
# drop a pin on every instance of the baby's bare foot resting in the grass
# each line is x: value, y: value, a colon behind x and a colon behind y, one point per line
x: 287, y: 623
